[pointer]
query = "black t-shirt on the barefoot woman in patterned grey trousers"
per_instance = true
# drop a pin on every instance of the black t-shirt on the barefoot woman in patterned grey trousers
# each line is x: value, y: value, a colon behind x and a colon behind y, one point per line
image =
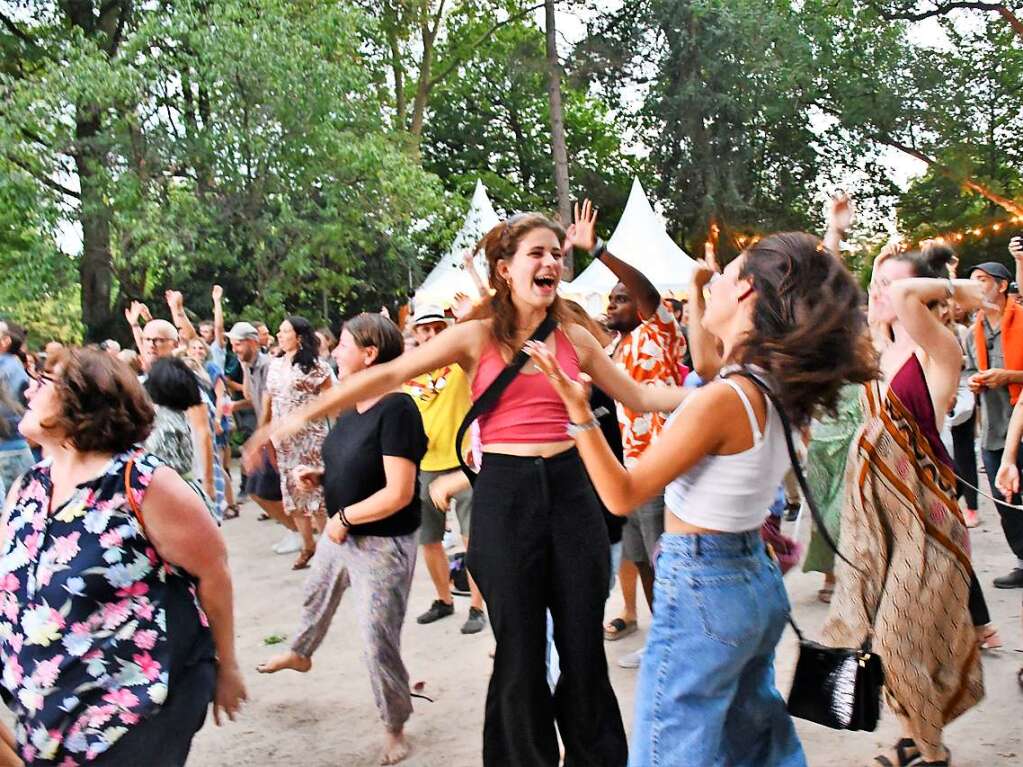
x: 353, y: 461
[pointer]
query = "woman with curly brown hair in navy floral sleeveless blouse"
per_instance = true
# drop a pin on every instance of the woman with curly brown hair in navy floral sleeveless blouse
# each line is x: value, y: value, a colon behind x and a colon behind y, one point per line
x: 116, y: 614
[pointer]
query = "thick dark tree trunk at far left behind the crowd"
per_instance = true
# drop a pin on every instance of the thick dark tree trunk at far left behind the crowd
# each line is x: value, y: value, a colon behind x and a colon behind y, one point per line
x: 96, y: 267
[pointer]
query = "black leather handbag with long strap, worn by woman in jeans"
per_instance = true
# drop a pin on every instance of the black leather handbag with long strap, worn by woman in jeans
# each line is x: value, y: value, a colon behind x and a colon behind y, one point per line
x: 839, y: 688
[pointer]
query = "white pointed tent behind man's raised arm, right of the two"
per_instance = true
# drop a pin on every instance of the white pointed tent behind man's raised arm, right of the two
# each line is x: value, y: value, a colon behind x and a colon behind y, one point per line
x: 640, y: 241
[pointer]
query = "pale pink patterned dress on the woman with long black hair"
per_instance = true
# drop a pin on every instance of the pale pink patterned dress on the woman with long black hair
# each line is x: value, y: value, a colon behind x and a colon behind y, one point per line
x: 290, y: 388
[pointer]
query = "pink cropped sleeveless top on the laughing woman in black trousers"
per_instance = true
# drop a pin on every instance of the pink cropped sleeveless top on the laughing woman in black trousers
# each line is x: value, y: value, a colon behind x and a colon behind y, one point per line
x: 529, y: 411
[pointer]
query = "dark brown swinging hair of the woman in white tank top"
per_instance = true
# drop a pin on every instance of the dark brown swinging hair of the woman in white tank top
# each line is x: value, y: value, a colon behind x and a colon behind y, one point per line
x: 810, y: 332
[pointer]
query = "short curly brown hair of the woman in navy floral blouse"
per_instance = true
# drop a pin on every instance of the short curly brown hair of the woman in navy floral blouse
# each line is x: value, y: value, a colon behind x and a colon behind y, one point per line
x: 104, y: 409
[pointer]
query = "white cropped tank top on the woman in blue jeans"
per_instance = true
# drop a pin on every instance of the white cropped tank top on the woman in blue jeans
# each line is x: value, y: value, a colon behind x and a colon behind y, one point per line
x: 733, y: 493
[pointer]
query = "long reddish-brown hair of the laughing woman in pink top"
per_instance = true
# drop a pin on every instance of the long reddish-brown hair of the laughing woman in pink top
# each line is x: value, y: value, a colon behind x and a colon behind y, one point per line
x: 501, y: 244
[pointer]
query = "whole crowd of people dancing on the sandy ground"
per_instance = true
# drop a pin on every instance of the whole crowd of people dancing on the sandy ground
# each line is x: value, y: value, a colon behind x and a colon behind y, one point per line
x: 568, y: 456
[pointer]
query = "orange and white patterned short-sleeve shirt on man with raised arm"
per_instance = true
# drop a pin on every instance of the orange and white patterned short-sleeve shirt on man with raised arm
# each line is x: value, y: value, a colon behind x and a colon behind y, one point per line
x: 650, y: 355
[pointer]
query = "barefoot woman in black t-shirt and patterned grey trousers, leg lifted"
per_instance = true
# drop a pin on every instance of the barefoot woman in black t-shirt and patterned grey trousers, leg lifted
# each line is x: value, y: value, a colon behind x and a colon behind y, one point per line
x: 371, y: 479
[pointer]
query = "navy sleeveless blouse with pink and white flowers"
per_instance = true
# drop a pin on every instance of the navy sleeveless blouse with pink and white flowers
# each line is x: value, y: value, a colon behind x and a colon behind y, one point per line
x: 84, y: 599
